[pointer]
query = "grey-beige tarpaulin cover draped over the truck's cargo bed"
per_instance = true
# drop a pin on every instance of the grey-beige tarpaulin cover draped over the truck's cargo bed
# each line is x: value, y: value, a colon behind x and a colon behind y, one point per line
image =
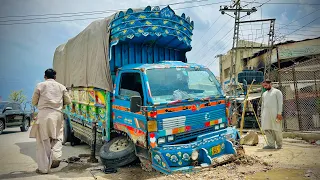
x: 84, y: 61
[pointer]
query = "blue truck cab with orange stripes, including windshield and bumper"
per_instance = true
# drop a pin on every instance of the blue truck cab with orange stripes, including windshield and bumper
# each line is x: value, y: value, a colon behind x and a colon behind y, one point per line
x: 175, y: 110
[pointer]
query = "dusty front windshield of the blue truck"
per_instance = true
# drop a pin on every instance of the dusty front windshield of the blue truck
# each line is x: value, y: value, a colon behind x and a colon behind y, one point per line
x: 172, y: 84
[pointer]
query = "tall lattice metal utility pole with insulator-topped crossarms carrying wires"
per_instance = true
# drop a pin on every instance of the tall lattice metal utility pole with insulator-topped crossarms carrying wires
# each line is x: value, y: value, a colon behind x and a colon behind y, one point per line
x: 237, y: 10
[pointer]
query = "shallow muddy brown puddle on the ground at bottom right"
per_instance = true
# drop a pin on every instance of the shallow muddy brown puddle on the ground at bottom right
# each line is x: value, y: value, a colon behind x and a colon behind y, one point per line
x: 292, y: 174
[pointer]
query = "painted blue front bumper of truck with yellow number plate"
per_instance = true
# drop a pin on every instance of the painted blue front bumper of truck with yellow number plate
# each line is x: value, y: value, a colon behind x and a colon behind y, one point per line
x: 210, y: 147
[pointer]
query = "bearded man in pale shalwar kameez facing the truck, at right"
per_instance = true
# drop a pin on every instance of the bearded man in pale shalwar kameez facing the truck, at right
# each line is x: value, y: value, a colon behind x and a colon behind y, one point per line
x: 271, y: 115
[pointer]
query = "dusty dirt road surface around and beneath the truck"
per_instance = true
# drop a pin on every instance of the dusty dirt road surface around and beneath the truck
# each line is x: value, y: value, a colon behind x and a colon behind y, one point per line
x: 297, y: 160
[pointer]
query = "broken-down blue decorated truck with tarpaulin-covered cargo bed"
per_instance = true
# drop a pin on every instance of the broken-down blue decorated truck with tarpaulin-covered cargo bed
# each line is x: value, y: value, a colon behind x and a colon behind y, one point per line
x: 129, y: 74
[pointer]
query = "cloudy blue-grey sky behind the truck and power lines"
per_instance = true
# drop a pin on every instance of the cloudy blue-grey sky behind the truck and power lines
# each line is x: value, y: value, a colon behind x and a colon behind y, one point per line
x: 28, y: 42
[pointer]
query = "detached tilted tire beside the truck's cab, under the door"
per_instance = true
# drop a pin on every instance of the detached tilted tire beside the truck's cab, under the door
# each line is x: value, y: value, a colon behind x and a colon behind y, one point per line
x: 118, y: 152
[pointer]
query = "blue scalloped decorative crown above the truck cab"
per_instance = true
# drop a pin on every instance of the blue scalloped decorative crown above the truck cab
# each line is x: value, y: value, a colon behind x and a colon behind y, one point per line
x: 154, y: 26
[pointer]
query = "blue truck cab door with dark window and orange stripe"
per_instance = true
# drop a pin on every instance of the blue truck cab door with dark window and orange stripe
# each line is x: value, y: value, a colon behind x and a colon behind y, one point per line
x: 128, y: 84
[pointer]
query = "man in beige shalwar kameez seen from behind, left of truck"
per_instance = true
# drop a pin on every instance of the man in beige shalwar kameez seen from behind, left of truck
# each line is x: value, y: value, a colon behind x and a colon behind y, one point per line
x: 49, y: 97
